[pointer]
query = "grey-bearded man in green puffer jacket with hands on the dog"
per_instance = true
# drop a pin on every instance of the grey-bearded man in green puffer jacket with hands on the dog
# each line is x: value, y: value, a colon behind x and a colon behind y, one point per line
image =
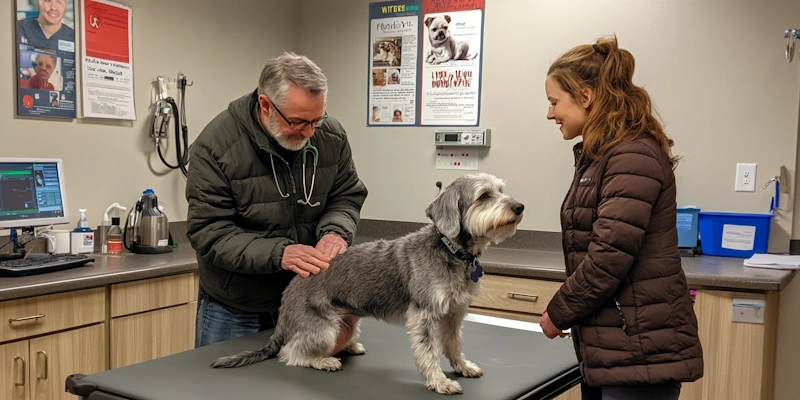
x: 273, y: 193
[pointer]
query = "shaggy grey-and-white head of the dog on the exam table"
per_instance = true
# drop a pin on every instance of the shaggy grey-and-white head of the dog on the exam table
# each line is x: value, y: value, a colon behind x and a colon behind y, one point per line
x: 476, y: 205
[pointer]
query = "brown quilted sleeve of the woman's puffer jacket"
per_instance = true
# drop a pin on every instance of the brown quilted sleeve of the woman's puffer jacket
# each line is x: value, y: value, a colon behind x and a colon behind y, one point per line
x: 630, y: 186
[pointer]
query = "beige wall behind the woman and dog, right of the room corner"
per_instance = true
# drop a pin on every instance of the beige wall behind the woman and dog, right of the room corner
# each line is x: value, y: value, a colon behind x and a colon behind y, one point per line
x: 715, y: 69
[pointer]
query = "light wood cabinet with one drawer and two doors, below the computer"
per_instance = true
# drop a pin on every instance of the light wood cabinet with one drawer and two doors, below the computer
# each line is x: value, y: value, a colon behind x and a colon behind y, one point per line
x: 46, y: 338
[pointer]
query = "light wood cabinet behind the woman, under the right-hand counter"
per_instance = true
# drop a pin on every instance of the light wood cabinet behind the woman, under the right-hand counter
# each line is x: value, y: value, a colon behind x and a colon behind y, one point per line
x: 739, y: 356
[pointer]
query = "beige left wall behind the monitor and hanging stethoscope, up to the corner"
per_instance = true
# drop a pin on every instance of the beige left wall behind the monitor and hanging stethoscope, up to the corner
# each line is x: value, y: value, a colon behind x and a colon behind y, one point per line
x: 219, y: 47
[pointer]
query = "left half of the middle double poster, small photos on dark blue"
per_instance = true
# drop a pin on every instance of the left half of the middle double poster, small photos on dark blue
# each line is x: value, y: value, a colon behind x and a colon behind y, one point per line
x: 393, y: 51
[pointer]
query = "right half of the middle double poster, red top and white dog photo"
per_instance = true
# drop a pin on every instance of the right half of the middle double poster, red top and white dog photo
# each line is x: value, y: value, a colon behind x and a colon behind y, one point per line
x: 450, y: 65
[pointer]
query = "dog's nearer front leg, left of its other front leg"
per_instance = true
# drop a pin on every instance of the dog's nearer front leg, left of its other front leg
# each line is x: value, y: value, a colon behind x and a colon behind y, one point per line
x: 422, y: 330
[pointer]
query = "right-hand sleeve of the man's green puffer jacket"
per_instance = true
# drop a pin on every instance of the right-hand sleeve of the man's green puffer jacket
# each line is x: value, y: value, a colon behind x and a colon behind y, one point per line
x: 343, y: 208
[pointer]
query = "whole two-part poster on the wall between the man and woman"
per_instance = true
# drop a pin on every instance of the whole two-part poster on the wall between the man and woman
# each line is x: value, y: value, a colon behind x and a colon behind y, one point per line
x: 425, y: 62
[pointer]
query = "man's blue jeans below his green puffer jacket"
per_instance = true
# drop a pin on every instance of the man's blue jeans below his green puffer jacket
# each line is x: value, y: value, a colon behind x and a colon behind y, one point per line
x: 217, y: 322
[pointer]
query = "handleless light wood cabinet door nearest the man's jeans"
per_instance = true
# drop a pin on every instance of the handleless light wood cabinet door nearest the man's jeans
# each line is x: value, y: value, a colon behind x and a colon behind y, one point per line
x: 146, y: 336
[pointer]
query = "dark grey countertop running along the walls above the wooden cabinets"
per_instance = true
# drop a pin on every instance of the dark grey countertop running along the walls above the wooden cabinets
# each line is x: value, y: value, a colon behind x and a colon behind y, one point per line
x: 701, y: 272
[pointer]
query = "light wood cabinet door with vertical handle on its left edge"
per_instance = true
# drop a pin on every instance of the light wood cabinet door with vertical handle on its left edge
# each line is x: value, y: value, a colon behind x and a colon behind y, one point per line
x: 54, y: 357
